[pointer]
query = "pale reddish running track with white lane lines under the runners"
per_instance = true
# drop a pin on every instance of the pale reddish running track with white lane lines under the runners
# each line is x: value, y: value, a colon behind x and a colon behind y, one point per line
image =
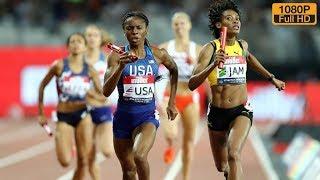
x: 28, y: 153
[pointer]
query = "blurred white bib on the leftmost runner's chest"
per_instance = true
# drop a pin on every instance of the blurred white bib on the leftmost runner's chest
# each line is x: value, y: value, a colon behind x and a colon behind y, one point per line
x: 72, y: 87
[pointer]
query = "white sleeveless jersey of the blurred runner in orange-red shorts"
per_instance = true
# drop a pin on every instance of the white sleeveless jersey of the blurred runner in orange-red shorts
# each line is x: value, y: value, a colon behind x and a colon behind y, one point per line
x: 182, y: 59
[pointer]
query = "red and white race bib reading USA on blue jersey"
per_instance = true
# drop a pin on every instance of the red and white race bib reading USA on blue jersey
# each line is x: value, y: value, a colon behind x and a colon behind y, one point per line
x: 138, y: 88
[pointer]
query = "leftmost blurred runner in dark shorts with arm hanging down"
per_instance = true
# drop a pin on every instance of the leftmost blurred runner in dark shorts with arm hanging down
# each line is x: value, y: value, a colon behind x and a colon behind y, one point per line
x: 73, y: 77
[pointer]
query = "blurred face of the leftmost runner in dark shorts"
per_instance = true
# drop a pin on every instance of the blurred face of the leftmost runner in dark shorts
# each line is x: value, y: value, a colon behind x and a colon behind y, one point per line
x: 76, y: 44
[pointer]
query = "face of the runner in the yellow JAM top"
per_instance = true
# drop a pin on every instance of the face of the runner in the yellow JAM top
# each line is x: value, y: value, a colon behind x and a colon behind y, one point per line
x: 231, y: 20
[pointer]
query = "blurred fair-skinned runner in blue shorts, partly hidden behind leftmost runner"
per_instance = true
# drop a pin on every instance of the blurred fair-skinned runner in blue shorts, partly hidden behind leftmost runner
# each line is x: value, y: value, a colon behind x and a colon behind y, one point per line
x: 99, y: 106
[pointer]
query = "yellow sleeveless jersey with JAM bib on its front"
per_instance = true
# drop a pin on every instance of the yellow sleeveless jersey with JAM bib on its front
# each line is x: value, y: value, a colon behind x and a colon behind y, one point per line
x: 234, y: 69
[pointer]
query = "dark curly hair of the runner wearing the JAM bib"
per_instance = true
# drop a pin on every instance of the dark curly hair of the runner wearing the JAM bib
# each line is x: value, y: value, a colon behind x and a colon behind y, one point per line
x: 216, y: 9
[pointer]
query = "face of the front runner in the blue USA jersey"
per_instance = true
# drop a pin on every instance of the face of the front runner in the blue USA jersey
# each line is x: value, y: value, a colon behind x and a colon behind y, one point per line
x: 135, y: 30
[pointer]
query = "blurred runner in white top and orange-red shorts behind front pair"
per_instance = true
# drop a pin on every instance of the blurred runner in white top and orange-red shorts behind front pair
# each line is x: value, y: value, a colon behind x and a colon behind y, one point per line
x: 184, y: 52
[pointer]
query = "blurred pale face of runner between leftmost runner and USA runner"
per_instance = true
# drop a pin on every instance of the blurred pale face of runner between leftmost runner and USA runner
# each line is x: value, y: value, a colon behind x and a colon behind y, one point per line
x: 93, y: 36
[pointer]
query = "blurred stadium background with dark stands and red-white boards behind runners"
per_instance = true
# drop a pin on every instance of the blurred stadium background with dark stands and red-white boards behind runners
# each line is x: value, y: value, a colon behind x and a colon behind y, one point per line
x: 33, y: 33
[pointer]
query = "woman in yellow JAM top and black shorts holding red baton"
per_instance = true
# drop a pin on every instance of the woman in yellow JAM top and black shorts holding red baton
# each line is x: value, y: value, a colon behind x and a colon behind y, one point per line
x: 230, y: 116
